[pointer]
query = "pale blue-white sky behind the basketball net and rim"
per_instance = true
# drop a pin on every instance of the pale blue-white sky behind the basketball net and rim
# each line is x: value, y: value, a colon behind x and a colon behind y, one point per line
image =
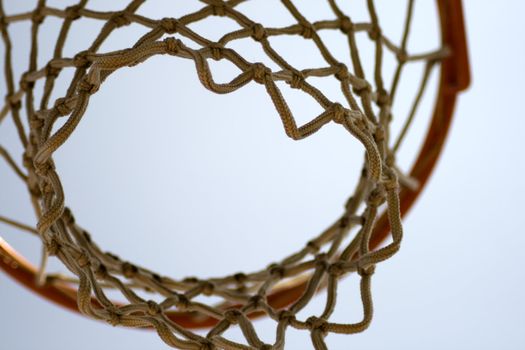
x: 231, y: 179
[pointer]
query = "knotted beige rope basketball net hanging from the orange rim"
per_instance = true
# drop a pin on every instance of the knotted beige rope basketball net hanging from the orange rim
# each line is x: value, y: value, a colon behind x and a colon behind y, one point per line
x: 345, y: 247
